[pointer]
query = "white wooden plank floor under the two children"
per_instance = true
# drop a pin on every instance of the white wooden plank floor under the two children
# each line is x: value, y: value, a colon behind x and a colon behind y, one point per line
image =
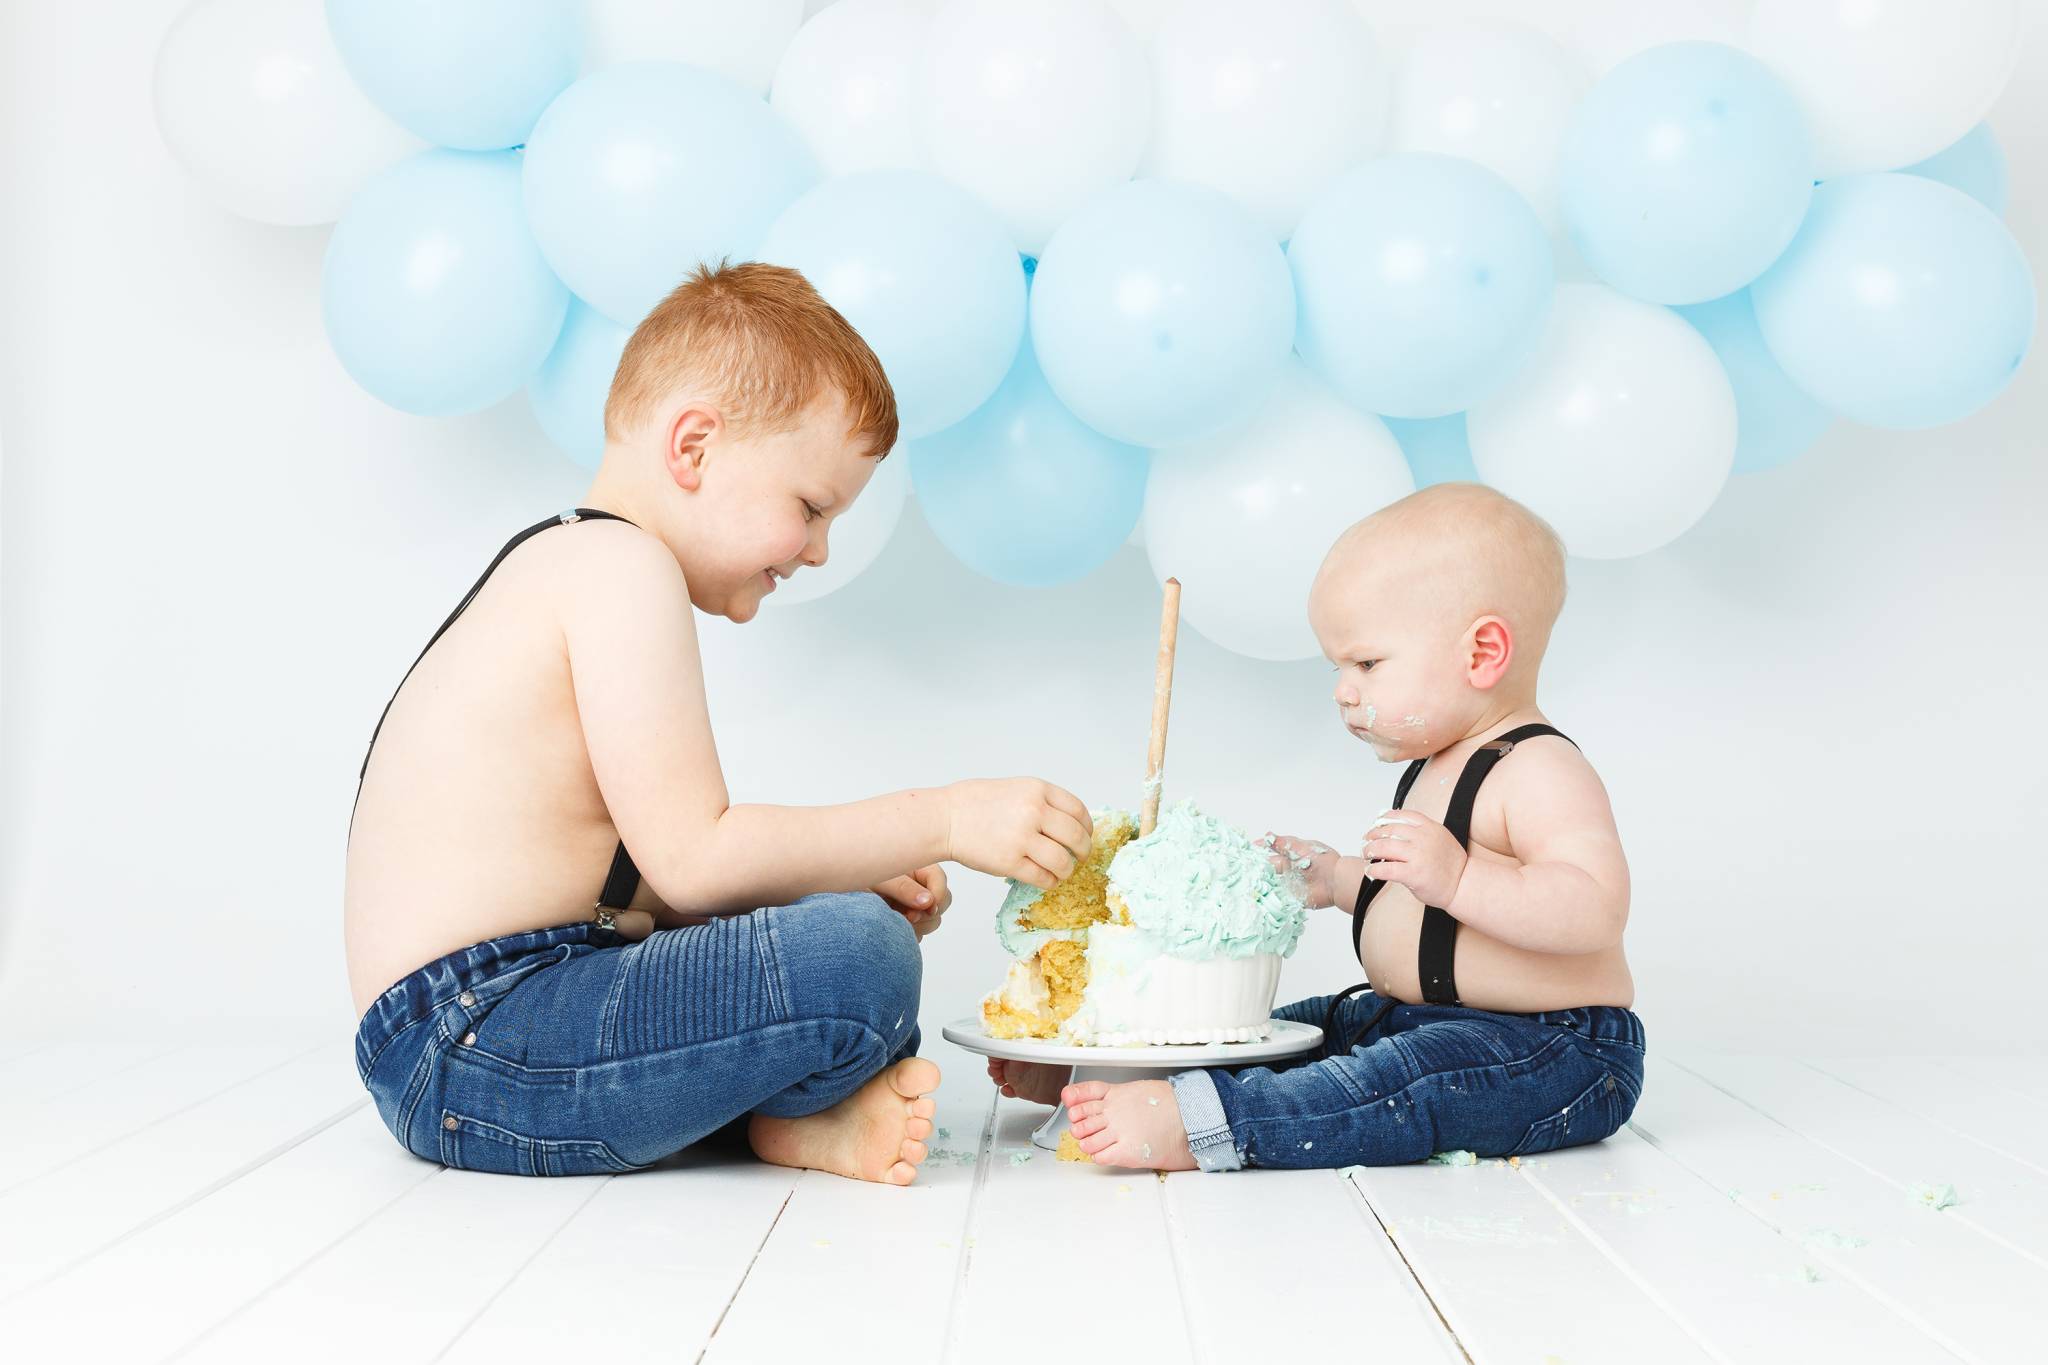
x: 243, y: 1204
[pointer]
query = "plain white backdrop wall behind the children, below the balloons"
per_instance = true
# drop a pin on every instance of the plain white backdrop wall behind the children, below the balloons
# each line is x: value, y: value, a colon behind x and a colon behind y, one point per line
x: 1818, y: 711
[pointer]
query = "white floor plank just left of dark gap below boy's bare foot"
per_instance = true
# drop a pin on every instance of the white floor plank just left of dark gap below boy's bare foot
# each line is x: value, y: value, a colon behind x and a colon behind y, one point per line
x: 669, y: 1247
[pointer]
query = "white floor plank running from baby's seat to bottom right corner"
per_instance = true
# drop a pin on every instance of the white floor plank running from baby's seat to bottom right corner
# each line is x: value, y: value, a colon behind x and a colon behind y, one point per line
x: 1971, y: 1296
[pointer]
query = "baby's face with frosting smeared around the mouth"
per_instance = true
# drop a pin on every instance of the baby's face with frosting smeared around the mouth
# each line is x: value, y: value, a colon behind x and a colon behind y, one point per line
x: 1398, y: 660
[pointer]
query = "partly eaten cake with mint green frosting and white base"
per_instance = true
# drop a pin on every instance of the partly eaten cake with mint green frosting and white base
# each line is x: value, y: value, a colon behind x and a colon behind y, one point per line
x: 1168, y: 938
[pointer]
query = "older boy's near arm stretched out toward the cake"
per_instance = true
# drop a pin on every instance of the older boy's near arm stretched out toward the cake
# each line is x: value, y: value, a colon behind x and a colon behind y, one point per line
x: 640, y: 695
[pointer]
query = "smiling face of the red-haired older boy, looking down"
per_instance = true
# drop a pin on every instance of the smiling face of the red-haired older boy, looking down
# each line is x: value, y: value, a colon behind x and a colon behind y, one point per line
x: 767, y: 504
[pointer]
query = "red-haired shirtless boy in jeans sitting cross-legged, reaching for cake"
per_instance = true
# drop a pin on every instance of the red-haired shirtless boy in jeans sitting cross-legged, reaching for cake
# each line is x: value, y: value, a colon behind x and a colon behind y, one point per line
x: 558, y: 721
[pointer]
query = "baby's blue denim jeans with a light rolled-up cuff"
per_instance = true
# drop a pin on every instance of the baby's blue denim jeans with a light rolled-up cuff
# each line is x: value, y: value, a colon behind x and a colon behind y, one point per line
x: 1424, y: 1080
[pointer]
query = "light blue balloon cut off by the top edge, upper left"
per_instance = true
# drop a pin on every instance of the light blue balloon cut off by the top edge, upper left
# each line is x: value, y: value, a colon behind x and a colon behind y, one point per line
x: 462, y: 73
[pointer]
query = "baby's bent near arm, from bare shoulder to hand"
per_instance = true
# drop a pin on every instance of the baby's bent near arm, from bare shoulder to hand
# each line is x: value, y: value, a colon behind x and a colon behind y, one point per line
x: 1568, y: 893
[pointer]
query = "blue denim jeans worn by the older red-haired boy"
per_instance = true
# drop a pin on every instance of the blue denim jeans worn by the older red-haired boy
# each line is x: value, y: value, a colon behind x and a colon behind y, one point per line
x: 572, y: 1051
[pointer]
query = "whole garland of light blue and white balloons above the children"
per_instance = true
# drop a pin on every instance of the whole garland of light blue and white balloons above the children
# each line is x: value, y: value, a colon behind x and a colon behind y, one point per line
x: 1250, y: 277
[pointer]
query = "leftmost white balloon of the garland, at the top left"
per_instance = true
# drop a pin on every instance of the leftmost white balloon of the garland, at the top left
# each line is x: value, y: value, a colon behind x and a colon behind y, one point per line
x: 257, y: 105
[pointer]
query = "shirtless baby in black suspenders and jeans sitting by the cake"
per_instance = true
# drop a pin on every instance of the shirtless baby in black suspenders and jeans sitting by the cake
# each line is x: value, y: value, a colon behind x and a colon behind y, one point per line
x: 1488, y: 906
